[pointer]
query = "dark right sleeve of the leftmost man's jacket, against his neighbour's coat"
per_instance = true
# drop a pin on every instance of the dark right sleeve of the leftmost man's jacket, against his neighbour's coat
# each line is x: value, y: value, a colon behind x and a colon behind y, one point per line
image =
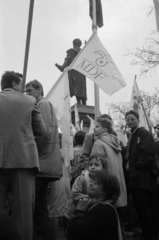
x: 38, y: 124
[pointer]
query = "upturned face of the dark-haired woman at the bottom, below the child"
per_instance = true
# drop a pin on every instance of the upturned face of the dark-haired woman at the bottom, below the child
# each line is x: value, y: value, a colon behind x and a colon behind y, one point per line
x: 96, y: 190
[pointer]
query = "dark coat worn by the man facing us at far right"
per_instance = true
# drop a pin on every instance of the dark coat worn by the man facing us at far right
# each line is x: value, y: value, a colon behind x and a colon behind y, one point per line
x: 141, y: 158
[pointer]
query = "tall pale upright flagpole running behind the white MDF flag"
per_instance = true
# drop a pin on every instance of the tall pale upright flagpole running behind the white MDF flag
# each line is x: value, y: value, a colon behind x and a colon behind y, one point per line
x: 96, y: 88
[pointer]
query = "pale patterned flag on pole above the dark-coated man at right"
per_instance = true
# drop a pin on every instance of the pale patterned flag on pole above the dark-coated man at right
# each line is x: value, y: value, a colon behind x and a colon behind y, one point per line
x: 135, y: 104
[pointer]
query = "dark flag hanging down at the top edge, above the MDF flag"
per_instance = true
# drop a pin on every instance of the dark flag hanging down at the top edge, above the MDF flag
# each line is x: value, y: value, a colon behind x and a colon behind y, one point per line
x: 99, y: 13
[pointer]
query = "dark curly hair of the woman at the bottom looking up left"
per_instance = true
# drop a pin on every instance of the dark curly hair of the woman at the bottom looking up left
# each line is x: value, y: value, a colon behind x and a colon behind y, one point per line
x: 110, y: 184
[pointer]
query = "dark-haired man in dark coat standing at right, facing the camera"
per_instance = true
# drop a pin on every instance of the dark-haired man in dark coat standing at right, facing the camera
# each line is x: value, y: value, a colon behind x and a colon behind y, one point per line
x: 142, y: 180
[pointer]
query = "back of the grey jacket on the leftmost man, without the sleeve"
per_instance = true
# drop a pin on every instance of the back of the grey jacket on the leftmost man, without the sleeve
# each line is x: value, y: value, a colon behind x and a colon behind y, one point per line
x: 16, y: 130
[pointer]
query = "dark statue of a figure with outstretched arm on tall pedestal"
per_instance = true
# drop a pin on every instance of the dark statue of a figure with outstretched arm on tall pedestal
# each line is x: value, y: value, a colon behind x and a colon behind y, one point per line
x: 77, y: 81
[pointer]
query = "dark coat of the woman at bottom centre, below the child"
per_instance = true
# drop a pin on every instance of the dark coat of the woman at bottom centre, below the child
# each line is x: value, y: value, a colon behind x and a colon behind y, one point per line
x: 98, y: 223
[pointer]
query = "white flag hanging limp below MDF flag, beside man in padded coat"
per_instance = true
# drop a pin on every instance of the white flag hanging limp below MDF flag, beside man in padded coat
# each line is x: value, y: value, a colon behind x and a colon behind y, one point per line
x: 59, y: 96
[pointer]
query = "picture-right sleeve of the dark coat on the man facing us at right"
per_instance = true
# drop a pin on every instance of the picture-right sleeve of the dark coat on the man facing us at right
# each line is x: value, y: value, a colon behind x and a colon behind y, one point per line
x: 146, y: 150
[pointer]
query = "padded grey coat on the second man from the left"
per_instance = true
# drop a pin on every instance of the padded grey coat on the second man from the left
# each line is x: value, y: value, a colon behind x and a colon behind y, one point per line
x: 48, y: 145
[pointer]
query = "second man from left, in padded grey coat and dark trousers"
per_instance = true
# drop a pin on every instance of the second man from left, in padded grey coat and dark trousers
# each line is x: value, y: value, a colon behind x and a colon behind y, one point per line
x: 49, y: 156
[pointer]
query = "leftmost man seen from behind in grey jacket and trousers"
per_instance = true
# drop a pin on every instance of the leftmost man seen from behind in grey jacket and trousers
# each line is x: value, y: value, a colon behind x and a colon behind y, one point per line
x: 20, y: 122
